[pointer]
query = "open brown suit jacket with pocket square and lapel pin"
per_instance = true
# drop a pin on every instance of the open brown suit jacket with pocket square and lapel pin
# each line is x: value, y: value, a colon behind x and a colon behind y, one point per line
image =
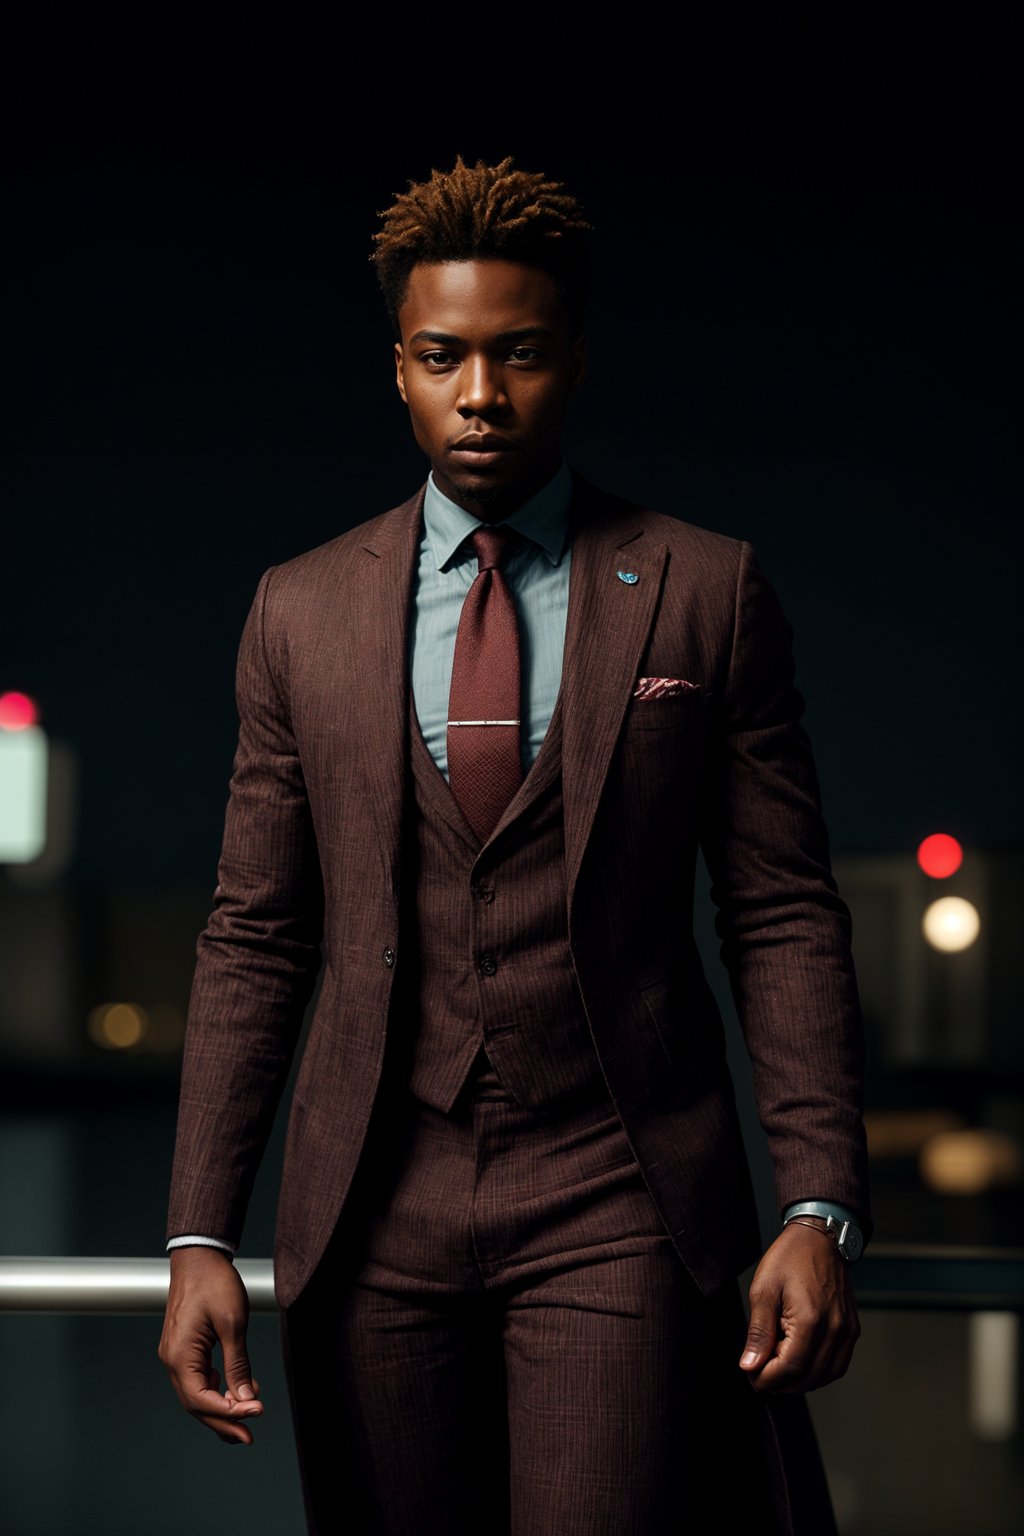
x: 312, y: 852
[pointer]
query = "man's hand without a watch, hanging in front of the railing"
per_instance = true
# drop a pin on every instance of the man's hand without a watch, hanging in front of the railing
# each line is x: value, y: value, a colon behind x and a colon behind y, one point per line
x: 208, y: 1305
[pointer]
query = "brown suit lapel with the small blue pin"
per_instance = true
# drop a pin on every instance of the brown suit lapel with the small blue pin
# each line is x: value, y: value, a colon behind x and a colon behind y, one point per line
x: 607, y: 632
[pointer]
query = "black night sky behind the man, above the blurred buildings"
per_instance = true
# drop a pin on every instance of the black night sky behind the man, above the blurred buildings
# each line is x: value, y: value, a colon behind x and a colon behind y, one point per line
x: 804, y: 334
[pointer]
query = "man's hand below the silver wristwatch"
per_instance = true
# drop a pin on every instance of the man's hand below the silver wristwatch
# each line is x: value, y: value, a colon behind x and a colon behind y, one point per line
x: 804, y: 1316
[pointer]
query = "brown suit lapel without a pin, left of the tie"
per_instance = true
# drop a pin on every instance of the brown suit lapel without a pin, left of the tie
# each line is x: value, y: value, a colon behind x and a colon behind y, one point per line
x: 383, y: 600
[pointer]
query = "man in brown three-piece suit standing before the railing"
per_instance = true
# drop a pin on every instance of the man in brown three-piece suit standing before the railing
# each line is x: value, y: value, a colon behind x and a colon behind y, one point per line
x: 481, y: 741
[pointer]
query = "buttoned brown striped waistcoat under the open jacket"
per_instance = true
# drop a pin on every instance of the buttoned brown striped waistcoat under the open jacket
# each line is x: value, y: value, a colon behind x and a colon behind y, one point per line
x: 492, y: 965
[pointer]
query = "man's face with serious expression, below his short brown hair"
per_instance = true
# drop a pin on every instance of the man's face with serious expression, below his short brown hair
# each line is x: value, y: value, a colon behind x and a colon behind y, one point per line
x: 487, y: 365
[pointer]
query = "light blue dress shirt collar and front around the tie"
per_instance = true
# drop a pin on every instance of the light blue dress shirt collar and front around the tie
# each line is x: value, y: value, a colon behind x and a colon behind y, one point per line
x: 538, y: 577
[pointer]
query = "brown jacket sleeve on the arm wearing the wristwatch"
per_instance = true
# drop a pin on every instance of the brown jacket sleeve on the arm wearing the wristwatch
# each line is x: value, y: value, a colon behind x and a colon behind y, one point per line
x: 785, y: 933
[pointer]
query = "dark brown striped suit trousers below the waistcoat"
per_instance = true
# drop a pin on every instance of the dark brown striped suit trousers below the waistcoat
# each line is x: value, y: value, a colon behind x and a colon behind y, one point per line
x: 504, y: 1340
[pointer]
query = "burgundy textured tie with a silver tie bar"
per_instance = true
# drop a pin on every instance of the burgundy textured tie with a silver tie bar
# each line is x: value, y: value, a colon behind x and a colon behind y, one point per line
x: 484, y: 764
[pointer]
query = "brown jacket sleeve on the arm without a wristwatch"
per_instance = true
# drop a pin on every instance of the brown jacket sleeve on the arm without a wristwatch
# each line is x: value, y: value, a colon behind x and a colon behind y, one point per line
x: 259, y: 958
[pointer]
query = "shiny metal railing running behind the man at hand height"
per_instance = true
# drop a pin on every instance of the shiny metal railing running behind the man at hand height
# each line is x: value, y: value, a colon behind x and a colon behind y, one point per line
x: 890, y: 1277
